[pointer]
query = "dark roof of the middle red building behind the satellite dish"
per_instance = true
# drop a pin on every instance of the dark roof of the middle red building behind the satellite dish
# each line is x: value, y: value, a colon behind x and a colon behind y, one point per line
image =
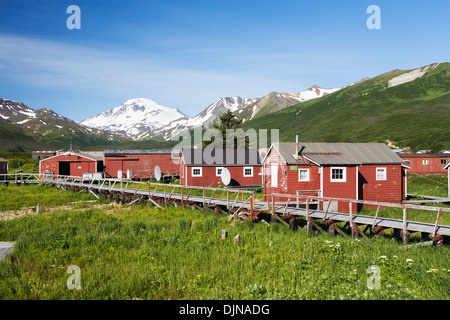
x: 220, y: 157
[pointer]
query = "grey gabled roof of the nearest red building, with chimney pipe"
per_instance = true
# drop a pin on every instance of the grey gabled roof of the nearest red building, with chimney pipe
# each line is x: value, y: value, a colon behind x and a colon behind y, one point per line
x: 324, y: 153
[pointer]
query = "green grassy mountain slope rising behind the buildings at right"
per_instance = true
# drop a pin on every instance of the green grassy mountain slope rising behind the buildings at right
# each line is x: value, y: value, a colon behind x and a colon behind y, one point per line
x: 415, y: 114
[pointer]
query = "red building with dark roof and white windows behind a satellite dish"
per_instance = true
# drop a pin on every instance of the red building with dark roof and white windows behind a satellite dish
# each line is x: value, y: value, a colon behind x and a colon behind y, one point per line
x: 200, y: 167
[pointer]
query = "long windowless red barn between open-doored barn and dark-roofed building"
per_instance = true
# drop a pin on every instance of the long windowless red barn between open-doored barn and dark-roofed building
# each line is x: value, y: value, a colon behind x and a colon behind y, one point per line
x: 134, y: 164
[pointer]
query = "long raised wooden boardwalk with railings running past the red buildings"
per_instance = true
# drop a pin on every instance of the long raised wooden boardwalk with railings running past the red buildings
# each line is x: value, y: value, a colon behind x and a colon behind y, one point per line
x: 242, y: 203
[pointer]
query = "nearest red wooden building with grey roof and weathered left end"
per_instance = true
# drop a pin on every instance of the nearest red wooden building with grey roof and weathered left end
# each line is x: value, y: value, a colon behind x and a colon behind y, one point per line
x: 363, y: 171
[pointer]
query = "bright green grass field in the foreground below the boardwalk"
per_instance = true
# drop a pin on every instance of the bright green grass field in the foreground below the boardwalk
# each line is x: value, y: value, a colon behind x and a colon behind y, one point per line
x: 128, y: 252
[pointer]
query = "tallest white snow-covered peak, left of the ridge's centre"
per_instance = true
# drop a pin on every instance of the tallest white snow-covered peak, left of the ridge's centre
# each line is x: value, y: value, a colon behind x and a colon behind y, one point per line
x: 135, y: 118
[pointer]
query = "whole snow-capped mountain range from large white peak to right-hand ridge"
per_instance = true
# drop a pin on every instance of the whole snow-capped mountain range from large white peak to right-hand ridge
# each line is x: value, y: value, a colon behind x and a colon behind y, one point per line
x: 143, y: 118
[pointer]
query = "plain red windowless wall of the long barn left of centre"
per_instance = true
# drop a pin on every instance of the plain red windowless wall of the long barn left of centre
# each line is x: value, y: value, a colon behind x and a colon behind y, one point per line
x: 141, y: 165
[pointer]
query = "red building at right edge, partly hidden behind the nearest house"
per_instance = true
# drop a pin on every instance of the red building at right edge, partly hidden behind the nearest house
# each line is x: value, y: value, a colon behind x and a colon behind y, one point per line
x: 426, y: 163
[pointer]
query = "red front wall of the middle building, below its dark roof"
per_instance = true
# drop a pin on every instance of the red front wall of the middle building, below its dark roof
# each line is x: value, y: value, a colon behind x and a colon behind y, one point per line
x: 209, y: 177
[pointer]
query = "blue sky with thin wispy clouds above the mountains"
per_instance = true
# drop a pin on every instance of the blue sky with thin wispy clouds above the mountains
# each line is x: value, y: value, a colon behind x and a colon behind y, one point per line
x: 187, y: 54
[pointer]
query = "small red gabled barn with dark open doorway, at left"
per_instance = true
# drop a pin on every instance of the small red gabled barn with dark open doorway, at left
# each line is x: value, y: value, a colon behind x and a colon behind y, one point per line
x: 72, y: 164
